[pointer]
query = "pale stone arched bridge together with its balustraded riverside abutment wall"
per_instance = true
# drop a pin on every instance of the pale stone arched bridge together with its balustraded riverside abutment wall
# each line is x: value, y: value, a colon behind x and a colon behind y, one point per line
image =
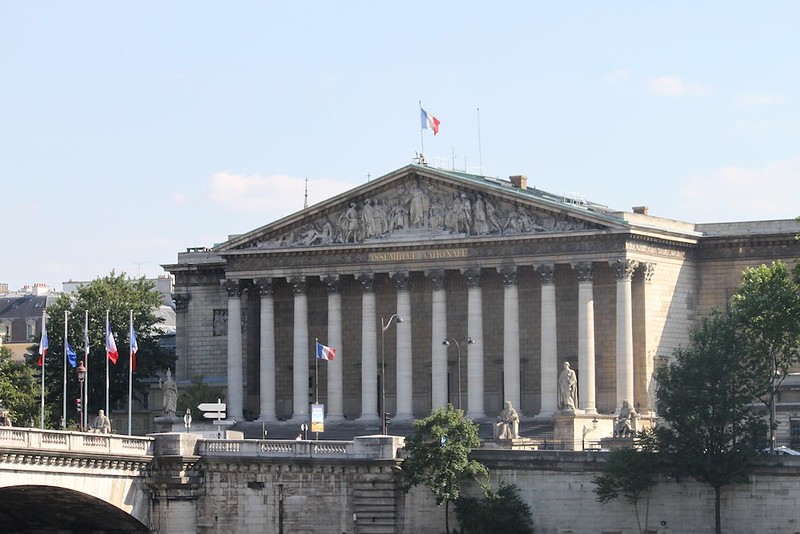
x: 60, y: 482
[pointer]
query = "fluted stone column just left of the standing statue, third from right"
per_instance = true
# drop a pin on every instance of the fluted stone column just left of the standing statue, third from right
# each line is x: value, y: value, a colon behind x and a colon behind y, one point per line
x: 549, y: 349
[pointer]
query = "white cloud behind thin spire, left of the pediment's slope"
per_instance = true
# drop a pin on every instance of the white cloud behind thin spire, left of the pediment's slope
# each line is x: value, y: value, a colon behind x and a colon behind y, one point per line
x: 272, y: 195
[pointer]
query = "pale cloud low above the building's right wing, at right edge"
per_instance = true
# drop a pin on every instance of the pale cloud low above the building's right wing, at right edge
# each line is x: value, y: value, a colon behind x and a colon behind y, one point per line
x: 741, y: 193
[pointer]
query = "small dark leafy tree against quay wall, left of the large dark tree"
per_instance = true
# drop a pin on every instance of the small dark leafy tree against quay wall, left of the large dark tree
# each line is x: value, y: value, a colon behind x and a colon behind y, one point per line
x: 628, y: 474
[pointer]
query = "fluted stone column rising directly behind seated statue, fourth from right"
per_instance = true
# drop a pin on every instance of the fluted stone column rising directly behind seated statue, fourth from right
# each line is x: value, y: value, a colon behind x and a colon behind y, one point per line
x: 511, y: 369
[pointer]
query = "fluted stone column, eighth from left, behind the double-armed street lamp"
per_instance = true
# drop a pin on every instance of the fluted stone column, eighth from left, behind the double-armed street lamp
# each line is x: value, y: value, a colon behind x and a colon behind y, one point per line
x: 474, y: 351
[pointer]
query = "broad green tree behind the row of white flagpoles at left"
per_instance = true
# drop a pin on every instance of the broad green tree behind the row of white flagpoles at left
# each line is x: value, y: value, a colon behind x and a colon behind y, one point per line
x: 119, y: 296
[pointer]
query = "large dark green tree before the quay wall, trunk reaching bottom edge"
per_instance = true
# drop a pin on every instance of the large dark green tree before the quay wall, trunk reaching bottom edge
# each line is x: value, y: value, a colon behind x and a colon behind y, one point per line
x: 704, y: 398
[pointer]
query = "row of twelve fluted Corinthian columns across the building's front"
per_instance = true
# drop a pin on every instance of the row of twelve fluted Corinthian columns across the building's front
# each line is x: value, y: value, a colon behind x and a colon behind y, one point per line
x: 404, y: 369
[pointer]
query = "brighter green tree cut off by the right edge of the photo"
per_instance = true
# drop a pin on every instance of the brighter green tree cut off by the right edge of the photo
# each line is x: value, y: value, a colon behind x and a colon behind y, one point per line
x: 767, y: 310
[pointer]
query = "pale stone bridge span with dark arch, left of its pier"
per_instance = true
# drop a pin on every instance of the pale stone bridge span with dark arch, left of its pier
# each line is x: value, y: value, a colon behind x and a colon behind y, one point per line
x: 67, y: 481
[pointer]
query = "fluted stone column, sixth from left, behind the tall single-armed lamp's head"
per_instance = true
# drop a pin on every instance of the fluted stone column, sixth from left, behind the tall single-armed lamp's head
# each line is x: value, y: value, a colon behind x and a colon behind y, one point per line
x: 404, y: 368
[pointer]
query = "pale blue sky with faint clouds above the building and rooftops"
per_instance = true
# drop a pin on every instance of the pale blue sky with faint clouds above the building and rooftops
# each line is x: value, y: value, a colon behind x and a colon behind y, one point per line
x: 130, y: 131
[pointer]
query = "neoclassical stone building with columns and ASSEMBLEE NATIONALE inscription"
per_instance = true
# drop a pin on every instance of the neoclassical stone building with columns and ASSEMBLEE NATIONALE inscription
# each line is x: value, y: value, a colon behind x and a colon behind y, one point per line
x: 517, y: 279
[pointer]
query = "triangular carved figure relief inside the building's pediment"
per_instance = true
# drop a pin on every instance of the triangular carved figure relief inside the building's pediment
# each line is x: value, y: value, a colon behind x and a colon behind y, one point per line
x: 421, y: 211
